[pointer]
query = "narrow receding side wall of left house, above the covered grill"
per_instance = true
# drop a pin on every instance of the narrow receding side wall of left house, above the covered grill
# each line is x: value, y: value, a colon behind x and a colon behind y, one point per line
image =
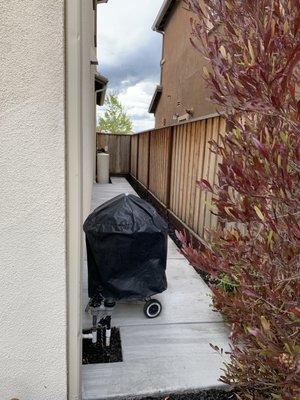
x: 88, y: 104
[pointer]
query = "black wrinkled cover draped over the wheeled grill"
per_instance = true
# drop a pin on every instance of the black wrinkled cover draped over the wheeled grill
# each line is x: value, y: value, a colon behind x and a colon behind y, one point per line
x: 126, y: 248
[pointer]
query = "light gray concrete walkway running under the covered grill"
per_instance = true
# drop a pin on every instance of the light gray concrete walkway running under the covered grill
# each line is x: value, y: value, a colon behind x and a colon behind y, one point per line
x: 166, y: 354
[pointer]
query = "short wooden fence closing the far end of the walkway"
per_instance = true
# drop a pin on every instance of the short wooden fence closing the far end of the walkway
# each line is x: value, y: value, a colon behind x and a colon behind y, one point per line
x: 118, y: 147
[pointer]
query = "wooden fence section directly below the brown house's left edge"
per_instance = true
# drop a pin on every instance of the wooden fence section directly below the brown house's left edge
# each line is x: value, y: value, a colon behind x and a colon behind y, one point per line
x: 159, y: 162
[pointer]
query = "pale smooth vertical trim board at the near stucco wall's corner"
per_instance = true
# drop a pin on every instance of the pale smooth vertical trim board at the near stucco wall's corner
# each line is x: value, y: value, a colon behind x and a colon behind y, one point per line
x: 73, y: 40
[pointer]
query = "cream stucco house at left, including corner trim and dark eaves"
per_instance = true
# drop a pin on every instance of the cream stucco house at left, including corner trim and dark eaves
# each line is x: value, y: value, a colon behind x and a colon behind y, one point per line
x: 49, y: 88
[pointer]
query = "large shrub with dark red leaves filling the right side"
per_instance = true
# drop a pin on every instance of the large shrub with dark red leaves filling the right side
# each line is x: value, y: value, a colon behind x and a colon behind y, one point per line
x: 254, y: 52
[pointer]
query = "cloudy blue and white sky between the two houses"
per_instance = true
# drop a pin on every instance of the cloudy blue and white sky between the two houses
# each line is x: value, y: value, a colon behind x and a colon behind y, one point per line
x: 129, y: 54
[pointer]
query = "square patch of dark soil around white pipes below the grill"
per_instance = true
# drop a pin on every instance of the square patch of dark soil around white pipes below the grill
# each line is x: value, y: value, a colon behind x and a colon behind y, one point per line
x: 97, y: 353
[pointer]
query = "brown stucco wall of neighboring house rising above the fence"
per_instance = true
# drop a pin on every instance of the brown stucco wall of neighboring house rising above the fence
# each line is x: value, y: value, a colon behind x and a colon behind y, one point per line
x: 182, y: 84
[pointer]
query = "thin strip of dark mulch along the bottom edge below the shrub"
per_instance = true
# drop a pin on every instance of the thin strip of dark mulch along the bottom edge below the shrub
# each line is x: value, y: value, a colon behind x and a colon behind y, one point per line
x: 203, y: 395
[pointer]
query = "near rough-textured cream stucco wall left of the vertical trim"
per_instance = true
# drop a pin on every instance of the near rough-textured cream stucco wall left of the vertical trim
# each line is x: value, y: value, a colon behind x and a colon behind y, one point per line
x: 32, y: 212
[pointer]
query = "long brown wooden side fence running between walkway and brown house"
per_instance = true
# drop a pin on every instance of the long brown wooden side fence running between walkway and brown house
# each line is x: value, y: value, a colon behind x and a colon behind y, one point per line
x: 167, y: 162
